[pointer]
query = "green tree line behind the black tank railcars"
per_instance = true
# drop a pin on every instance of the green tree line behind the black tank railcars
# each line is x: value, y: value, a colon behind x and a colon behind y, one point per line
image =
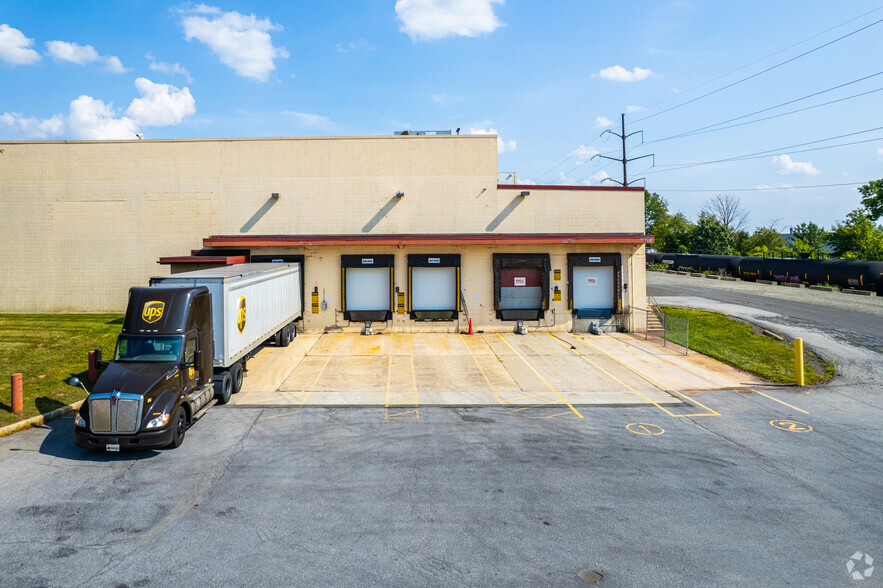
x: 722, y: 229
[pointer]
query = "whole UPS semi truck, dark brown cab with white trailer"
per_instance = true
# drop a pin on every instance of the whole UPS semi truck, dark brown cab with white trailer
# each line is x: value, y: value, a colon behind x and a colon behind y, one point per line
x: 183, y: 347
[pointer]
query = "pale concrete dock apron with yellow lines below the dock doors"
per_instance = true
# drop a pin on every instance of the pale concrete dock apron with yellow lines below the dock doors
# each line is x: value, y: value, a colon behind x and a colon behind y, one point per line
x: 537, y: 375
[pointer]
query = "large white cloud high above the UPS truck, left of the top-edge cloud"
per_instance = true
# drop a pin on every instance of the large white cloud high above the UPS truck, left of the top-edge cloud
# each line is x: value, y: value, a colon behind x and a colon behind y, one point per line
x: 241, y: 41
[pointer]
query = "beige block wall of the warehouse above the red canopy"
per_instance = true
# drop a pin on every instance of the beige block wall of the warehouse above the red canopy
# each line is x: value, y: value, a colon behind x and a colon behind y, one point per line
x: 82, y: 221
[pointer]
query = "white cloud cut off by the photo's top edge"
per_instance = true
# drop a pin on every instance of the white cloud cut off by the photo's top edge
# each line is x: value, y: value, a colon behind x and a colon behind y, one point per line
x: 427, y: 20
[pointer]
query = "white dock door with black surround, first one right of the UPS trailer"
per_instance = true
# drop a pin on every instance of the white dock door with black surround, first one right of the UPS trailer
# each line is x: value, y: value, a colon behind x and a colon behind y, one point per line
x: 367, y: 287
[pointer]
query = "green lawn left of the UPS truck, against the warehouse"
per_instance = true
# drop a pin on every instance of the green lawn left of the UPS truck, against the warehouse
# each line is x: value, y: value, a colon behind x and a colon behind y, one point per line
x: 48, y: 350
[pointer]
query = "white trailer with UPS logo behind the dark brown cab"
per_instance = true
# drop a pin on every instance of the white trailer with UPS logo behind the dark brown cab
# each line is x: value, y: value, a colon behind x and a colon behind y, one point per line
x: 251, y: 303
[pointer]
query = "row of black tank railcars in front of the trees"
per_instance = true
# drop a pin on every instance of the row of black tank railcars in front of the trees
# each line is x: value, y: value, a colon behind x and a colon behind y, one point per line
x: 862, y: 275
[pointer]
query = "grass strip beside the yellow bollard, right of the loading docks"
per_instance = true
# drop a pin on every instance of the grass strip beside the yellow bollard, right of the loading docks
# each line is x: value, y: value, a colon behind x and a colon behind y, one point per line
x: 735, y: 343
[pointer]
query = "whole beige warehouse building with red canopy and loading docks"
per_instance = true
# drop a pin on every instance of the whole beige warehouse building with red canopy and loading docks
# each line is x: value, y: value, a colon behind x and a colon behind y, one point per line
x: 410, y: 232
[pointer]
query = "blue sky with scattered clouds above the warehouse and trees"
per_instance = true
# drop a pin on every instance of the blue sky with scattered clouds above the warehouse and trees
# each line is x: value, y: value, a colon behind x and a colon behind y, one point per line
x: 547, y: 77
